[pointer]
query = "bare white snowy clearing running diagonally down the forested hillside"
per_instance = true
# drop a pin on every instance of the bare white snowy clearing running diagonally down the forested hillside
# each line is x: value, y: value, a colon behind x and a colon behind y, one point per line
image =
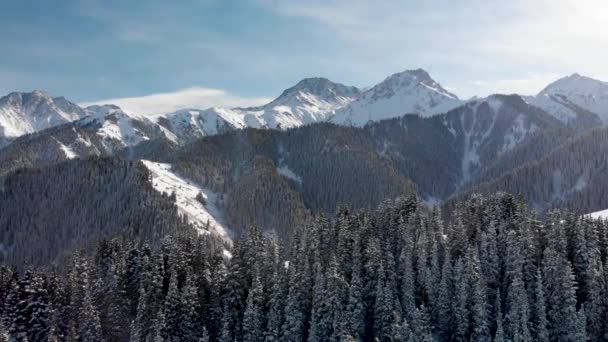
x: 207, y: 219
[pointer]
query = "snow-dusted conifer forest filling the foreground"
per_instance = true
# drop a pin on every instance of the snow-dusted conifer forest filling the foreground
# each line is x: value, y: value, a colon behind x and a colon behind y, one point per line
x: 494, y: 271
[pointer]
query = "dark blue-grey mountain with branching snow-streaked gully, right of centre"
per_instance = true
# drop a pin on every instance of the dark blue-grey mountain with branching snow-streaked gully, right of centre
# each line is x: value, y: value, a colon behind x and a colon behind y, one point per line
x: 442, y: 153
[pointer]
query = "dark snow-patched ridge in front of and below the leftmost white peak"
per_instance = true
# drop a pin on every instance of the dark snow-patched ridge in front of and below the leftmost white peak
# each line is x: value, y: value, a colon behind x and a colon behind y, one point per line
x: 106, y: 130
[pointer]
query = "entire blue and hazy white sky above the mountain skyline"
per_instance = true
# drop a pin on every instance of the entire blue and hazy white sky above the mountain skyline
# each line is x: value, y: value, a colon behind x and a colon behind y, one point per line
x: 204, y: 53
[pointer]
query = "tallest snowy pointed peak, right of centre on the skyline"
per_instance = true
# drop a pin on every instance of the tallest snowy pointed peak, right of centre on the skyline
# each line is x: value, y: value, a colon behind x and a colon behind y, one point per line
x: 408, y: 92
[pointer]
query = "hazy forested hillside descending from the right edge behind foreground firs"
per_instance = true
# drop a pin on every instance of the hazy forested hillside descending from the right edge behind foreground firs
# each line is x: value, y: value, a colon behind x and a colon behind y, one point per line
x: 571, y: 175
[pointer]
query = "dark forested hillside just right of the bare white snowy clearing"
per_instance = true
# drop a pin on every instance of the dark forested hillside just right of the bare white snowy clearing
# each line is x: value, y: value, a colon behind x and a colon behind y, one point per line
x: 314, y: 167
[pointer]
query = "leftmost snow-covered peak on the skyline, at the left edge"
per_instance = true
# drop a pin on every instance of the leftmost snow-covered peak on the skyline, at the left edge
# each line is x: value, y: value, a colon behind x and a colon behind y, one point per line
x: 23, y: 113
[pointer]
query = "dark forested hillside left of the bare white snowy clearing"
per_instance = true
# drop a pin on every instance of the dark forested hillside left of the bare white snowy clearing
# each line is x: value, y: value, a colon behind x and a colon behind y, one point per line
x: 48, y: 213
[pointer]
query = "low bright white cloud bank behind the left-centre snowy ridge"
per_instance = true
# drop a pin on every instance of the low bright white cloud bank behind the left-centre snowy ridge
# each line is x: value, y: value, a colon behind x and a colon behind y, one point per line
x: 195, y: 97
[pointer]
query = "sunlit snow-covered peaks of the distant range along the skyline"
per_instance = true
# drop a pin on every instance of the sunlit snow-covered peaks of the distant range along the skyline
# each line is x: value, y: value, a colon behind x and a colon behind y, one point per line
x: 574, y: 98
